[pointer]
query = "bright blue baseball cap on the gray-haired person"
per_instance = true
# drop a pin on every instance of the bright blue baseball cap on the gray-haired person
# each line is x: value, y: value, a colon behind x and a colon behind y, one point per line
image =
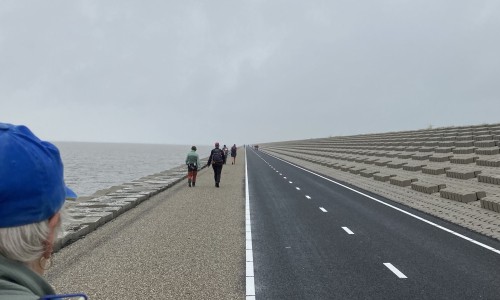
x: 32, y: 187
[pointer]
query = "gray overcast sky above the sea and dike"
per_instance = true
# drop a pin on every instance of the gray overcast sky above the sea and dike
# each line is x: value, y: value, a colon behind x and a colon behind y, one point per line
x: 195, y: 72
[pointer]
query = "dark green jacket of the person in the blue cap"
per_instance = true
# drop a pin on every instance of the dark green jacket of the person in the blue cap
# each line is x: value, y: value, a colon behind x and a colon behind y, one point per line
x: 18, y: 282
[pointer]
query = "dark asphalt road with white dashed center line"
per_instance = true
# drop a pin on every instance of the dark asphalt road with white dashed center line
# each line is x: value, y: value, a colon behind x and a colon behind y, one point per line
x: 314, y: 239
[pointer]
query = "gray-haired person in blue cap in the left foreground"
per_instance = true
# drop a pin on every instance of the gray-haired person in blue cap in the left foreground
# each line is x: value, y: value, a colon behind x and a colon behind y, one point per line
x: 32, y: 194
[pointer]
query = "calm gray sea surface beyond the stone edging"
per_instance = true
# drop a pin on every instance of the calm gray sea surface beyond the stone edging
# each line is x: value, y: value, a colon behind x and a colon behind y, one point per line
x: 89, y: 167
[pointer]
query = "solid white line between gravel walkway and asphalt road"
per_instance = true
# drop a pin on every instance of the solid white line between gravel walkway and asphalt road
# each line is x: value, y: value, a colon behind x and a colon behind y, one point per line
x: 250, y: 282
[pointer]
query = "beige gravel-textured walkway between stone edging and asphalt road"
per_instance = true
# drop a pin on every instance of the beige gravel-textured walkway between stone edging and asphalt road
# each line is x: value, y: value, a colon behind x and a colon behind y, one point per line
x: 184, y: 243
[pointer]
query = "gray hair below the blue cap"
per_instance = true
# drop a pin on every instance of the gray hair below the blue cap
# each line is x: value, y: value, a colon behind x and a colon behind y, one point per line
x: 24, y: 243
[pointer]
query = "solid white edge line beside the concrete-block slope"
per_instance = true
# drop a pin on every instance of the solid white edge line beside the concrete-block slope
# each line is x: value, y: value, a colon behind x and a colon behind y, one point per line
x: 396, y: 208
